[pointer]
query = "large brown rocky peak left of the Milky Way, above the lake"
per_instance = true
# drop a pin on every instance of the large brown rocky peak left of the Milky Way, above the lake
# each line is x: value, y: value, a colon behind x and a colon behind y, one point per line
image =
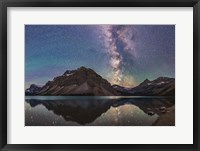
x: 83, y: 81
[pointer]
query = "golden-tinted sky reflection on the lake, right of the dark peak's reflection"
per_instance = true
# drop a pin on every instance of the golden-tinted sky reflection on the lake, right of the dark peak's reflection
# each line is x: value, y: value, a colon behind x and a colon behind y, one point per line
x: 125, y: 115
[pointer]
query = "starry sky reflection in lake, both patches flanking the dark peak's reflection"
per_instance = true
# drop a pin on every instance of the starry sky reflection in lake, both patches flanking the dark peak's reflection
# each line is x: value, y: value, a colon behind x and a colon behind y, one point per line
x: 121, y: 115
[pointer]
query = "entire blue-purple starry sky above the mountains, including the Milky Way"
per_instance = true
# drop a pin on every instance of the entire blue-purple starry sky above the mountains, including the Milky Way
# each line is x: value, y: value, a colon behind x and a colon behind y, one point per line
x: 123, y: 54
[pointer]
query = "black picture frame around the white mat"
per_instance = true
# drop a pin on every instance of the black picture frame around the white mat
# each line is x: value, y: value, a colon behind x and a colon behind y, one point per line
x: 4, y: 4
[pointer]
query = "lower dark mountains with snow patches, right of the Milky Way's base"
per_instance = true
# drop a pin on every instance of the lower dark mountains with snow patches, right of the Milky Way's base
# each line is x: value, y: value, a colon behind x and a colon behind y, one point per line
x: 162, y: 86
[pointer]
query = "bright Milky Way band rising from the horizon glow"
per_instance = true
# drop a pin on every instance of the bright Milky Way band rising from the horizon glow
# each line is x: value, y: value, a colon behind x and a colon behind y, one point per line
x: 118, y: 36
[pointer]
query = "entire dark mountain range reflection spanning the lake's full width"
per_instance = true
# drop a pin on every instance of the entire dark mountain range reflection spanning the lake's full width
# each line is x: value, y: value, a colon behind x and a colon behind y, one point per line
x: 87, y: 110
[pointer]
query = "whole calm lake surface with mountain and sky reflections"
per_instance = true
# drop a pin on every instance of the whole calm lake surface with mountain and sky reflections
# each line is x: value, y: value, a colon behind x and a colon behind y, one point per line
x: 96, y: 111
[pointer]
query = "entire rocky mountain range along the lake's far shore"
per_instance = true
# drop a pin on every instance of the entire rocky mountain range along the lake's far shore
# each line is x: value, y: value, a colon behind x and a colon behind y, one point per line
x: 86, y: 82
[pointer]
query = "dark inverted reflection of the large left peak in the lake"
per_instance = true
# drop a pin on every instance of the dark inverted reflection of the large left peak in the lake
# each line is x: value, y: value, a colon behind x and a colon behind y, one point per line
x: 80, y: 111
